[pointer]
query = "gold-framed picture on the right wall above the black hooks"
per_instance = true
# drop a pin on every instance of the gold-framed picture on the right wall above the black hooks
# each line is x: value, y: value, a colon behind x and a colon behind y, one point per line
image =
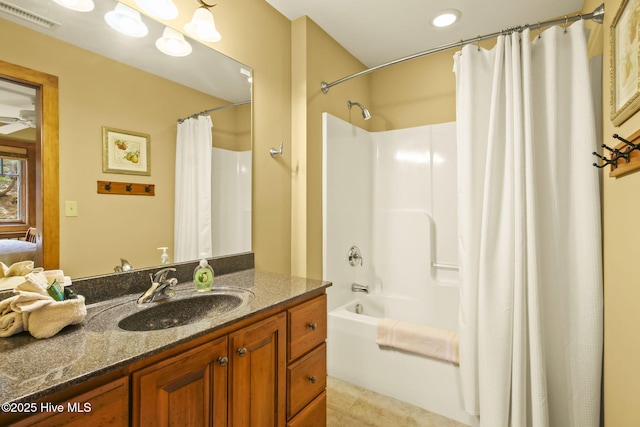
x: 625, y: 74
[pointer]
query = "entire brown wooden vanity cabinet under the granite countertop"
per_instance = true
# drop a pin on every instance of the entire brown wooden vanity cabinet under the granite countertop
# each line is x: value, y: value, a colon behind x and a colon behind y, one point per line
x: 266, y: 371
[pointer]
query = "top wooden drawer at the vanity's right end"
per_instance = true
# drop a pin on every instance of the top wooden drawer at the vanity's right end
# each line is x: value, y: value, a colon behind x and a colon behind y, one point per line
x: 307, y: 326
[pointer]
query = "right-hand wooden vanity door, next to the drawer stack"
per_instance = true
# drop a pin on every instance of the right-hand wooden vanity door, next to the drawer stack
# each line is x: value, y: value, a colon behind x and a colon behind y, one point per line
x: 257, y: 388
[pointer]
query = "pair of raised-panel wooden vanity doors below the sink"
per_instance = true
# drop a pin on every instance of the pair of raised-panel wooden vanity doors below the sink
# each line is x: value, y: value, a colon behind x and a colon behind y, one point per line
x: 235, y: 380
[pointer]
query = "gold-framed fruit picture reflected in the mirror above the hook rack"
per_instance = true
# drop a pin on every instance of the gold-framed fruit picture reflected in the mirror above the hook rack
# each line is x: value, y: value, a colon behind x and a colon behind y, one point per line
x: 125, y: 152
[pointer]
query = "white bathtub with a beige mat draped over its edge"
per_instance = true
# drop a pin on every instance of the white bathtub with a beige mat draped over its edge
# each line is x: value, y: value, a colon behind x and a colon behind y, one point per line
x: 354, y: 357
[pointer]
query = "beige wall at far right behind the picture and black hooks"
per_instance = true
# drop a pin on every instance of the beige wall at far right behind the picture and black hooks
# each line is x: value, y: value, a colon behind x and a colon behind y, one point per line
x: 621, y: 205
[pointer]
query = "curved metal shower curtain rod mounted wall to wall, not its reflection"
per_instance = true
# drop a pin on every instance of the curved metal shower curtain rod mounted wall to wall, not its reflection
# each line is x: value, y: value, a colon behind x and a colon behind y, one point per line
x: 597, y: 16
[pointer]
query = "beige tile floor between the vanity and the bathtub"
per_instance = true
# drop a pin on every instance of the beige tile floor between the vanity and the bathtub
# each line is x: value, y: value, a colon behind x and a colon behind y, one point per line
x: 352, y: 406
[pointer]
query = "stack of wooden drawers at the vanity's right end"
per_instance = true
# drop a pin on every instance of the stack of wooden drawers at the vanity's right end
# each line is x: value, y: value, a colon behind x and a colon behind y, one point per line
x: 307, y: 369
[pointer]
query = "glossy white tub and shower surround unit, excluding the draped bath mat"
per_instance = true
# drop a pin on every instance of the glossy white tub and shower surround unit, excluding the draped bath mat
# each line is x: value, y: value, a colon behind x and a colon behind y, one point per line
x: 393, y: 195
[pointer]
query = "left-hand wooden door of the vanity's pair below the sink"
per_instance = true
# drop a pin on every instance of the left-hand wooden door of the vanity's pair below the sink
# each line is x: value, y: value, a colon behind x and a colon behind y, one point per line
x: 185, y: 390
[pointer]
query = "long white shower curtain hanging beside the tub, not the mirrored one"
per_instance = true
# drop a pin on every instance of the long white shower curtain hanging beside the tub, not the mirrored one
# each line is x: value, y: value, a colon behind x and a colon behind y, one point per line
x: 529, y: 232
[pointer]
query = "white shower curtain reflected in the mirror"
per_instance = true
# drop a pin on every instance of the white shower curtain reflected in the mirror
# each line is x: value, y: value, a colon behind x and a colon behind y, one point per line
x: 192, y: 229
